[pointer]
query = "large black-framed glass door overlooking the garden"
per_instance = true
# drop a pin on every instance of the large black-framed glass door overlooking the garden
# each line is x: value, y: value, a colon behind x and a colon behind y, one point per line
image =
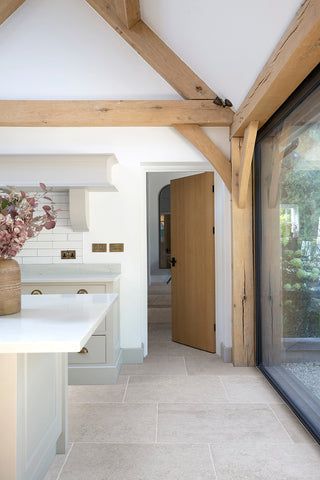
x: 287, y: 164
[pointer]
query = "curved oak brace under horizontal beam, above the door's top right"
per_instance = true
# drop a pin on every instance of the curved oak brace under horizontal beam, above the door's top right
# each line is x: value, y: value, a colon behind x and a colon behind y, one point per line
x: 202, y: 142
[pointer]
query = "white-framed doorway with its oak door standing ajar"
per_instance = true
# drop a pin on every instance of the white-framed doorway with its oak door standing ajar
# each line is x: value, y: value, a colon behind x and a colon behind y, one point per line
x: 181, y: 266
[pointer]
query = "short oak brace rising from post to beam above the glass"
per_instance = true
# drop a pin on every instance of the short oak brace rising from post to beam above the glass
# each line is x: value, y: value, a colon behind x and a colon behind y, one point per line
x: 247, y: 150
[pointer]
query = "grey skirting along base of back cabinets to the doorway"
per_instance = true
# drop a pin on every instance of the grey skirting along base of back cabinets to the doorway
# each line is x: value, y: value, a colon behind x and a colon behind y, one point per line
x: 104, y: 374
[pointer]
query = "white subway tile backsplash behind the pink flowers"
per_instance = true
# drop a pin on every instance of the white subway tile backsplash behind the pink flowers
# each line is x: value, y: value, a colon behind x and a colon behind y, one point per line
x: 46, y: 247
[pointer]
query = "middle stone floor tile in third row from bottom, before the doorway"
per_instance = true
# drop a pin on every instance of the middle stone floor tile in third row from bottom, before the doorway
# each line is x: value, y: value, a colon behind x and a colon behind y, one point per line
x: 175, y: 389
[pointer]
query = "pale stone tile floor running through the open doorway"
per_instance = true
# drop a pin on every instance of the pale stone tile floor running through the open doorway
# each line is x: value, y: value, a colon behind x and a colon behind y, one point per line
x: 184, y: 415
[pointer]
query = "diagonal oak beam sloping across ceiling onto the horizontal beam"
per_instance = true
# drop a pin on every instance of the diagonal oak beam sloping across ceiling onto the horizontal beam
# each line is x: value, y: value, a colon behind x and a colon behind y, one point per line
x: 154, y: 51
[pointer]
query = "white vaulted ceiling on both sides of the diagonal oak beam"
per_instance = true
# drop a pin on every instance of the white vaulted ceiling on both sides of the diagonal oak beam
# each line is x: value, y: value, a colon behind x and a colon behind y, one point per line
x: 63, y: 49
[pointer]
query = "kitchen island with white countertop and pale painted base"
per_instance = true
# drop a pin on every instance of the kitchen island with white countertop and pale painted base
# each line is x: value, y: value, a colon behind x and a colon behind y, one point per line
x: 34, y: 377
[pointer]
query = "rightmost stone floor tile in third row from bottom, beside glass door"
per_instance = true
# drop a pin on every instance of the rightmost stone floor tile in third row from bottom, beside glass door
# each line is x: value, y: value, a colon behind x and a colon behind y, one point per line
x: 249, y: 389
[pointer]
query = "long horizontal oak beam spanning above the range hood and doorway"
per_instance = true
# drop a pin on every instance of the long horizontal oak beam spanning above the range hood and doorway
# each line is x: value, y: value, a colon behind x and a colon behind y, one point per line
x: 111, y: 113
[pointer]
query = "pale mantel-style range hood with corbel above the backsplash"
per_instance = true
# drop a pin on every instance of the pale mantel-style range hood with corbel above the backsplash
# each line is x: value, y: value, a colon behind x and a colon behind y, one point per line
x: 80, y: 174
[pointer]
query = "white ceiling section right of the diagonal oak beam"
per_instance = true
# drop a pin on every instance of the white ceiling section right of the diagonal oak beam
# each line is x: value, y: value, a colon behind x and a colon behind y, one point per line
x: 226, y: 42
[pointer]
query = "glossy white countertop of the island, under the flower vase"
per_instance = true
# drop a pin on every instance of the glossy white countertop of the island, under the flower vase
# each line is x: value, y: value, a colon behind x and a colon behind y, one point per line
x: 53, y: 323
